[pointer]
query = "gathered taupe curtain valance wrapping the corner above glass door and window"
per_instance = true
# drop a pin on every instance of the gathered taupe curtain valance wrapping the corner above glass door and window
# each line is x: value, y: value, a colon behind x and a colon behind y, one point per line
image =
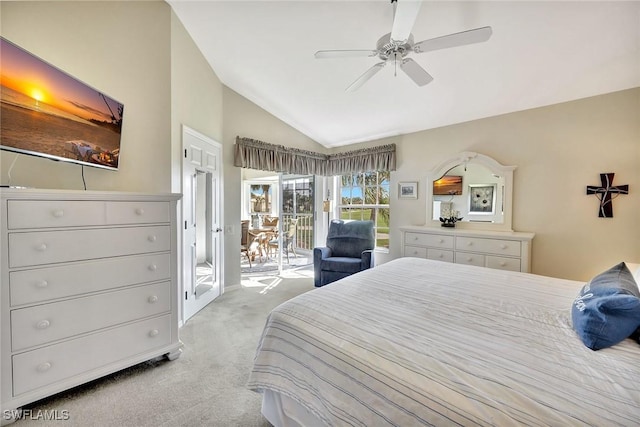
x: 253, y: 154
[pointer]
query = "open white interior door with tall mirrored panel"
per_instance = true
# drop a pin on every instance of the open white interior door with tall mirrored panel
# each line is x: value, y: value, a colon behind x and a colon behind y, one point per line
x: 202, y: 221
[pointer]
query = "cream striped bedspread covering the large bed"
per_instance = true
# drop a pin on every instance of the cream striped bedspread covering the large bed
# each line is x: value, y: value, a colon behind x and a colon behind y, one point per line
x: 418, y: 342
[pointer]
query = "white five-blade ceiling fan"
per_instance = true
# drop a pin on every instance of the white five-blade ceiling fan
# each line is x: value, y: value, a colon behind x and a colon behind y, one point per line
x: 398, y: 44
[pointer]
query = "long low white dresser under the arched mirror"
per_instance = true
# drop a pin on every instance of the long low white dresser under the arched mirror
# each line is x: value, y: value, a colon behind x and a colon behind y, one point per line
x: 494, y: 249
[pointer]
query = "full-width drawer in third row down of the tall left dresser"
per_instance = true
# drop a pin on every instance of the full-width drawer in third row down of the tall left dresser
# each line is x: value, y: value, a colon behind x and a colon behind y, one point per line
x: 43, y: 284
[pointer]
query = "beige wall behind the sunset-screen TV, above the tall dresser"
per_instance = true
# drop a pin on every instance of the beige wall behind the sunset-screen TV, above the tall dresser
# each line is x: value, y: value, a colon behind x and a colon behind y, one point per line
x: 120, y: 48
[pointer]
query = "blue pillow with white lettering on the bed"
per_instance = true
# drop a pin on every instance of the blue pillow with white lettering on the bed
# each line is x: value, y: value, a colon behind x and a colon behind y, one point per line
x: 607, y: 310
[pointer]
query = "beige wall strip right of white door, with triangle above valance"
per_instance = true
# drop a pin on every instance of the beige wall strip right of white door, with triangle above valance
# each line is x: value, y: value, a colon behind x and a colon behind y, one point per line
x: 244, y: 118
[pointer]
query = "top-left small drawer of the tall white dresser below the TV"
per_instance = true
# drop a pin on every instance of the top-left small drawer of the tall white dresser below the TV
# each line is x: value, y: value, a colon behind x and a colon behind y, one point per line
x: 54, y: 213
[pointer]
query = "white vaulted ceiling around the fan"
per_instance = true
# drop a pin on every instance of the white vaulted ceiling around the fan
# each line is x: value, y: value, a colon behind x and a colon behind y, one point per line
x: 540, y: 53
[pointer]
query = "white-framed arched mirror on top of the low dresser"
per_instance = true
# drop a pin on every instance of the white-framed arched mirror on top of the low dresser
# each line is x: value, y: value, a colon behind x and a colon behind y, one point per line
x: 473, y: 187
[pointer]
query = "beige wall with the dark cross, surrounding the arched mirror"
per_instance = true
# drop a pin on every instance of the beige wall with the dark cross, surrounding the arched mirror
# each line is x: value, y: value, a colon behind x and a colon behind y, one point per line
x: 558, y: 151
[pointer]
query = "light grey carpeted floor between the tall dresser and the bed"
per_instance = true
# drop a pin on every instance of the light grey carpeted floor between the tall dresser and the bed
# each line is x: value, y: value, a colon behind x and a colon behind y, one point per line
x: 204, y: 387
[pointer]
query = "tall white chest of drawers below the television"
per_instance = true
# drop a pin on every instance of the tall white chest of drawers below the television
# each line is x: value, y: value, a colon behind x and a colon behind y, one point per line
x: 89, y: 287
